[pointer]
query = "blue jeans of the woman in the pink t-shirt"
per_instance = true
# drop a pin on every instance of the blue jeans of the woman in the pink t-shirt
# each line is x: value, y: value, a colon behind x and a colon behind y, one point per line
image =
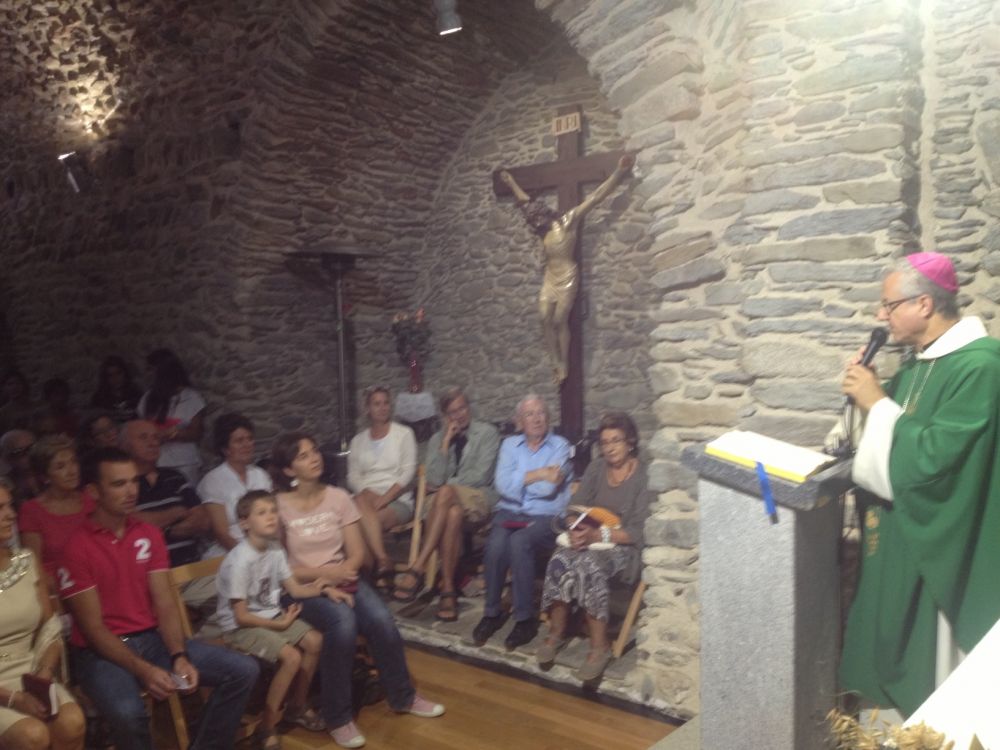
x: 340, y: 625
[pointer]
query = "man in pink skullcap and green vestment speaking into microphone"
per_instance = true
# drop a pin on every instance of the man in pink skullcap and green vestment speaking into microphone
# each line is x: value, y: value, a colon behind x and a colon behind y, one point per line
x: 931, y: 551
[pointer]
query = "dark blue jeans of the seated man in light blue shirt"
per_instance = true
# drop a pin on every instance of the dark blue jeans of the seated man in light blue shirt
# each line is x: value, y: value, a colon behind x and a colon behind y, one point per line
x: 515, y: 550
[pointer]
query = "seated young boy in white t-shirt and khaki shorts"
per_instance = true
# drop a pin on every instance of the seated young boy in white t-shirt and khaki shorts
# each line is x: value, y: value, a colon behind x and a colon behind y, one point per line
x: 249, y: 612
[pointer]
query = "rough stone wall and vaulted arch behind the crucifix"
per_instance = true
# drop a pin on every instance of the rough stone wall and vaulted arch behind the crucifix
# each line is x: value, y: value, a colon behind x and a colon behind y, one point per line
x: 786, y: 150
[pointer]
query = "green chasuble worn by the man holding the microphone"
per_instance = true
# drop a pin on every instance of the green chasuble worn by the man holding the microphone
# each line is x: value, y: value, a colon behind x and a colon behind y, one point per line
x: 938, y: 546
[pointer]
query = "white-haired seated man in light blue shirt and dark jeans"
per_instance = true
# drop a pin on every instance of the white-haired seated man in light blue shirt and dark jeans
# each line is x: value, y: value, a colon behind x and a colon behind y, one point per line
x: 532, y: 479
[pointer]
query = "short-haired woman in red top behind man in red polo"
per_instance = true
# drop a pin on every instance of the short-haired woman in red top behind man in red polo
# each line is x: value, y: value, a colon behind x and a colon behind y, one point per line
x: 47, y: 522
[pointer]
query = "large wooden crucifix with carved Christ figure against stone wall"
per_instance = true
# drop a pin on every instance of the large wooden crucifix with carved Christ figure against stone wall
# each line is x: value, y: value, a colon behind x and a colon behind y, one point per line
x: 559, y: 306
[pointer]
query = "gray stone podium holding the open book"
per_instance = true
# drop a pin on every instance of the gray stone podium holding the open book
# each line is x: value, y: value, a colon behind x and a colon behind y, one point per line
x: 770, y: 606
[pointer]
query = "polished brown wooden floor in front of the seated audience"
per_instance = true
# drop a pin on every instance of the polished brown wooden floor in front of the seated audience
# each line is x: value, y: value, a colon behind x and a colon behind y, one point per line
x: 486, y: 710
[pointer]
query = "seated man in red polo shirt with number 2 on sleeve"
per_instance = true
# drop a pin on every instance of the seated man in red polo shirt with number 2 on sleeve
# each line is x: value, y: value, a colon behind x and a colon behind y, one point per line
x: 126, y: 628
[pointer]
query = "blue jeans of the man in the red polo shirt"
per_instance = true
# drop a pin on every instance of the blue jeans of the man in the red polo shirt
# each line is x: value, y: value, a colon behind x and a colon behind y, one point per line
x: 116, y: 691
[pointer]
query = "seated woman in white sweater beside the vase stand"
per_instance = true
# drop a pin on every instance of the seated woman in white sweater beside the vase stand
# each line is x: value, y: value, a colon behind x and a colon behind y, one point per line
x: 380, y: 470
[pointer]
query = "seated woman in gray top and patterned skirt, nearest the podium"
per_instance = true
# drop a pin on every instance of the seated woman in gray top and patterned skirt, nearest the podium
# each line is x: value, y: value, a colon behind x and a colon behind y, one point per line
x: 582, y: 570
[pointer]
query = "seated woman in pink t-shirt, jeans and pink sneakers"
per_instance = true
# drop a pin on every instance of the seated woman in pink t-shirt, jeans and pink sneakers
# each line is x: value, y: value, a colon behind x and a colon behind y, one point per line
x: 323, y: 538
